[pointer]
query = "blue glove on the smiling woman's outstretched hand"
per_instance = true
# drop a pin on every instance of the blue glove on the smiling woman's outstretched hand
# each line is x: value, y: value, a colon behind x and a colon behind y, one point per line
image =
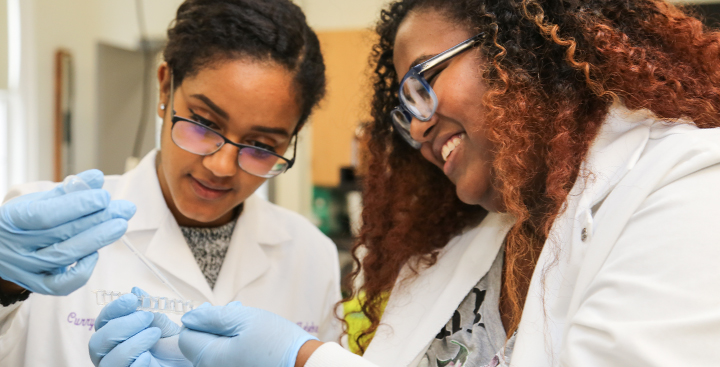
x: 235, y: 335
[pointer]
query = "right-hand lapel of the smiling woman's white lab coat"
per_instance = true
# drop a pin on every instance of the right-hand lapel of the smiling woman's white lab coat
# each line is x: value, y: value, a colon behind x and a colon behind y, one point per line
x: 617, y: 147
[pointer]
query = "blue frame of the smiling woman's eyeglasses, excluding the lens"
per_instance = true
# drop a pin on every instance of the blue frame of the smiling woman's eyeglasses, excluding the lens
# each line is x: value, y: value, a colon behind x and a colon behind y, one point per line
x: 417, y: 71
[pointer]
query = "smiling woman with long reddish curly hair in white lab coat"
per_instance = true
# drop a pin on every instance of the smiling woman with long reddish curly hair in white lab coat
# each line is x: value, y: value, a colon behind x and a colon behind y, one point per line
x: 542, y: 191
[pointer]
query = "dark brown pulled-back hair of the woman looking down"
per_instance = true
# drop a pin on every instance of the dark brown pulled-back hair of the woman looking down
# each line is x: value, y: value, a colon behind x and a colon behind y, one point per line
x: 207, y: 31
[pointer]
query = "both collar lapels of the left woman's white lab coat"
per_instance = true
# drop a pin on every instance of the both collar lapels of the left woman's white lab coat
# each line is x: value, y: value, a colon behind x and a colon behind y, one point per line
x: 245, y: 260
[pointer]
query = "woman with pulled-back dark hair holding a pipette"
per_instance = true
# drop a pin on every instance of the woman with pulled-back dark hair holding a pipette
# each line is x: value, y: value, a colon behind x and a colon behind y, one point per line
x: 238, y: 82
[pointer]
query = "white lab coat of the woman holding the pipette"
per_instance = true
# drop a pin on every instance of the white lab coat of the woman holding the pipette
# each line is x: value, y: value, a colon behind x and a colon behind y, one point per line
x: 277, y: 261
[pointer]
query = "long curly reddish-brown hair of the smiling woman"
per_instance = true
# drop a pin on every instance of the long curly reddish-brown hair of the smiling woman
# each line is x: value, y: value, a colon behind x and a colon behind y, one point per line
x: 553, y: 69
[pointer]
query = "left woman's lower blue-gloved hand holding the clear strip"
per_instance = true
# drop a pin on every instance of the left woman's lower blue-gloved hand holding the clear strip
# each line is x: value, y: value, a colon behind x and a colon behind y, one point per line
x: 126, y: 337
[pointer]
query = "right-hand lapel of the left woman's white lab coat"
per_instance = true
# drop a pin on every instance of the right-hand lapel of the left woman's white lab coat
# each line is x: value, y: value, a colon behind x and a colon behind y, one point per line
x: 246, y: 259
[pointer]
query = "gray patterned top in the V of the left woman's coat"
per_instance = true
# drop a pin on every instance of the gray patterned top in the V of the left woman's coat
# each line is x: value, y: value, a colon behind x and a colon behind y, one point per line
x: 209, y: 246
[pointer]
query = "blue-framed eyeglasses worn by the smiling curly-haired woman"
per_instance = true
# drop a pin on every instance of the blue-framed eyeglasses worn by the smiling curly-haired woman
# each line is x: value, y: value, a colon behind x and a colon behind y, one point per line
x: 417, y: 98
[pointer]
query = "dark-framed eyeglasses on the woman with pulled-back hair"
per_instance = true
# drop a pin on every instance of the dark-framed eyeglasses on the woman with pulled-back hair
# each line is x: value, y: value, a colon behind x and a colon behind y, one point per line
x: 196, y: 138
